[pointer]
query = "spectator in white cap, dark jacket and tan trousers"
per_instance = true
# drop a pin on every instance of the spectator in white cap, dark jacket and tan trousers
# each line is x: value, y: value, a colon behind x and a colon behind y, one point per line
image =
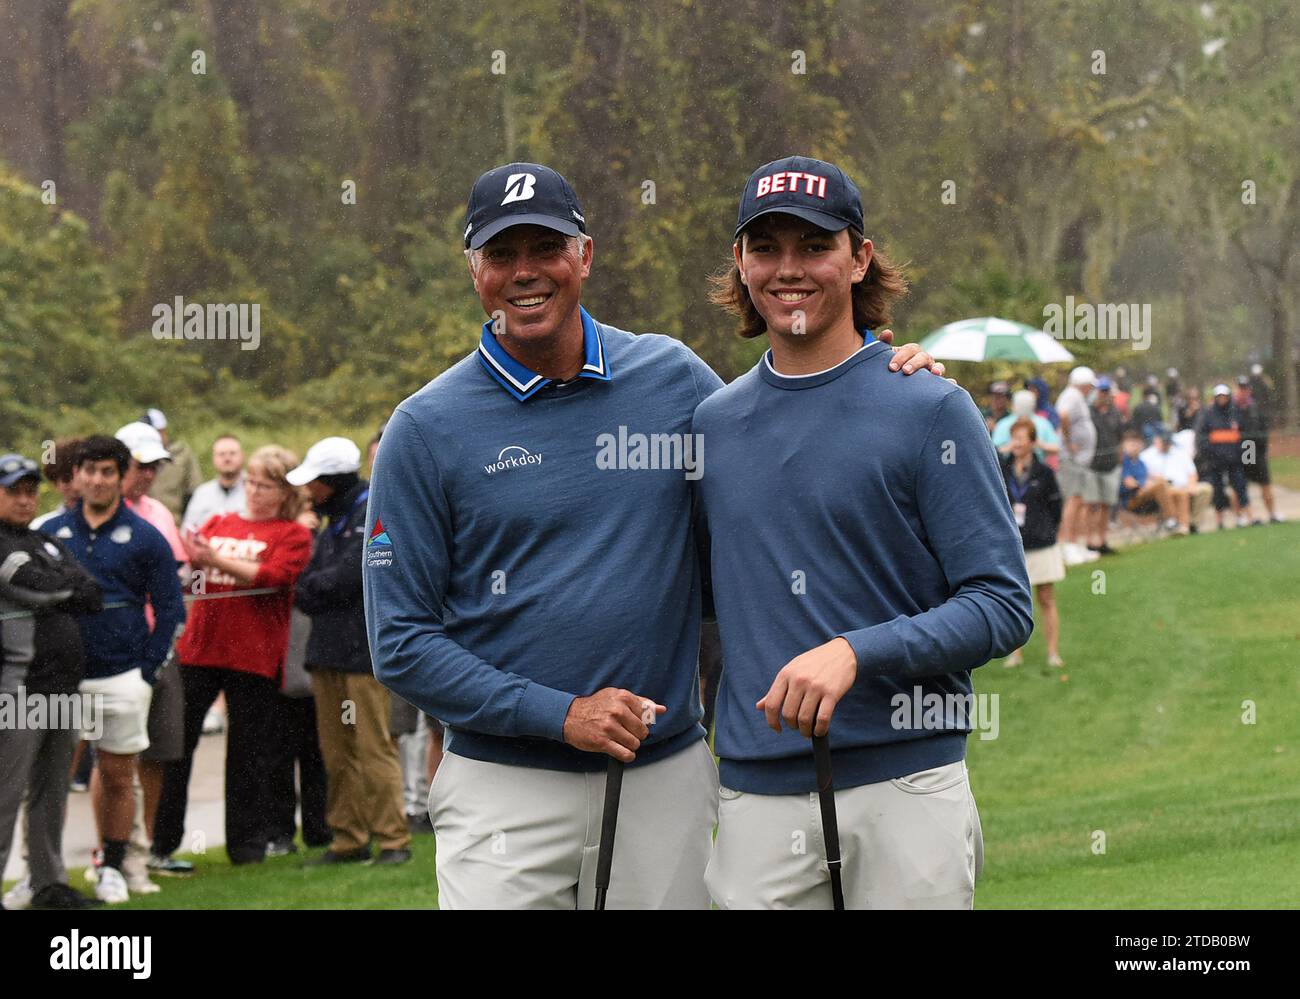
x: 353, y: 708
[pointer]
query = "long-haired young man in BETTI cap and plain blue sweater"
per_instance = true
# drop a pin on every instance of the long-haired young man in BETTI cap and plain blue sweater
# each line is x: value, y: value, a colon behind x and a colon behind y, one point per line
x: 865, y: 560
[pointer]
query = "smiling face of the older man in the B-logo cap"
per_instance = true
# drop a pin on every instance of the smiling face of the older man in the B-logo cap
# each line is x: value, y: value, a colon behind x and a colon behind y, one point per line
x: 535, y: 278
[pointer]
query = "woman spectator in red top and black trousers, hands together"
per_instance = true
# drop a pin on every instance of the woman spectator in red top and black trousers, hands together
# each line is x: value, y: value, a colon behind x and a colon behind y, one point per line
x: 237, y: 645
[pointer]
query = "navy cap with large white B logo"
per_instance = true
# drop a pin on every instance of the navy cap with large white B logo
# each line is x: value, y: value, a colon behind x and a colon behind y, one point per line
x: 521, y: 194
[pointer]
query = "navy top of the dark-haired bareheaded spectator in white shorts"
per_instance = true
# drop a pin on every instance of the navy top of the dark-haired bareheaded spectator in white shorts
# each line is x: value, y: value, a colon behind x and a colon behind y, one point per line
x: 133, y: 565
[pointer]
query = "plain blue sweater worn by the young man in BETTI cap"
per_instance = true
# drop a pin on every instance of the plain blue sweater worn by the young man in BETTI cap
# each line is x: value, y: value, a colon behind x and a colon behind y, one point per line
x: 859, y: 504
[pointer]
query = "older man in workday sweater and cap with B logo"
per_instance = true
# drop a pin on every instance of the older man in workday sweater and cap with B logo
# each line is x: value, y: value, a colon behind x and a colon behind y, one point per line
x: 531, y: 578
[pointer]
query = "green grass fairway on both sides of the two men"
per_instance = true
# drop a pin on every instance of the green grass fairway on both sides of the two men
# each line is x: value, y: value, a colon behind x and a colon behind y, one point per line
x: 1145, y: 742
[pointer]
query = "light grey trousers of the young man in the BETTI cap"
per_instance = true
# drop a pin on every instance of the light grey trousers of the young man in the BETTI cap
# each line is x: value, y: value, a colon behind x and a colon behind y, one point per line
x: 911, y: 844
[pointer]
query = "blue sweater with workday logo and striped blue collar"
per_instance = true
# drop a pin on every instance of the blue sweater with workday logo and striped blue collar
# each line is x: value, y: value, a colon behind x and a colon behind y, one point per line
x: 509, y: 569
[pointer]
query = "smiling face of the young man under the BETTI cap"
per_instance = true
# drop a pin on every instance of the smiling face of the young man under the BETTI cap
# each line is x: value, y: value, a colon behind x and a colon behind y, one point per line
x: 800, y: 278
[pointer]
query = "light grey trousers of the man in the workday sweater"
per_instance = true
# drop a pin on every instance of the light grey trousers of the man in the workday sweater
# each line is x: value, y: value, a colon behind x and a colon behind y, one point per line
x: 523, y: 838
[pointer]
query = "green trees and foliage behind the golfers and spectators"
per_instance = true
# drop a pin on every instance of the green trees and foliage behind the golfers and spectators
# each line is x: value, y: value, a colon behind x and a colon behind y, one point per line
x: 227, y: 187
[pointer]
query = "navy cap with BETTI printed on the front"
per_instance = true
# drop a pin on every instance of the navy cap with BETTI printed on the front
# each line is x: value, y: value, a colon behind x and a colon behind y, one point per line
x: 817, y: 192
